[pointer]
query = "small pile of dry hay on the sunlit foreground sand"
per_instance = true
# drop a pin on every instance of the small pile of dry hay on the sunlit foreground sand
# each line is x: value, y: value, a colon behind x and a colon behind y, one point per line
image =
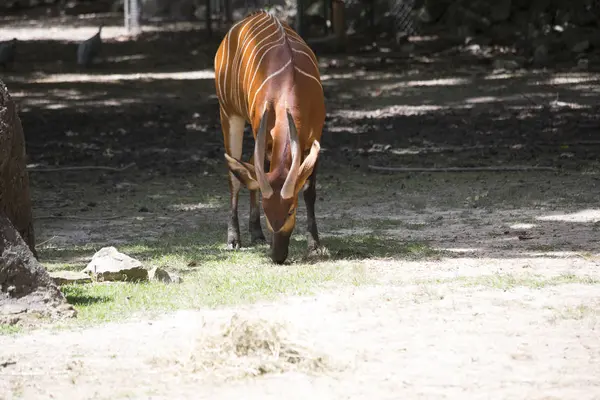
x: 251, y: 347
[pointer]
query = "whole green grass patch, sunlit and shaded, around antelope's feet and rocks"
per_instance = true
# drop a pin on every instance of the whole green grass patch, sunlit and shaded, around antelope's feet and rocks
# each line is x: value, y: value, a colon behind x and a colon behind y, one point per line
x: 213, y: 276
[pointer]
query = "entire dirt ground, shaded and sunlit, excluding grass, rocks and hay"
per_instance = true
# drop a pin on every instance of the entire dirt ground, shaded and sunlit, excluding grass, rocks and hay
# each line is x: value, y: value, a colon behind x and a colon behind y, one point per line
x: 511, y: 310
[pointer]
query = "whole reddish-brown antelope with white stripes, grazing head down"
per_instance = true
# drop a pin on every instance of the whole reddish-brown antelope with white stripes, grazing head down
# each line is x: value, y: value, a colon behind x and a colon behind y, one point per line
x: 267, y: 75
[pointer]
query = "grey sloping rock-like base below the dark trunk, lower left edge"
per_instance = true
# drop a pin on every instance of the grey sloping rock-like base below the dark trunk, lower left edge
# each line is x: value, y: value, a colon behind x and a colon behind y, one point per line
x: 26, y: 290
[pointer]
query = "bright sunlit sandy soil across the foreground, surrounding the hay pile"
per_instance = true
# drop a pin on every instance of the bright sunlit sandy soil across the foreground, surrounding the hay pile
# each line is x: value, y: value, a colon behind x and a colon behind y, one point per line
x: 389, y: 341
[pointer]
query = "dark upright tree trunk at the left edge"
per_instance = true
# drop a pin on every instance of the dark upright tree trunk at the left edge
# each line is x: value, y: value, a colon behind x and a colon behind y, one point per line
x: 15, y: 202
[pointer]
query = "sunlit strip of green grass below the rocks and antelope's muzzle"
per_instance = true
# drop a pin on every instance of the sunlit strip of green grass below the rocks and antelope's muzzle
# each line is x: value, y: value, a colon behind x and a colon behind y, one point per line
x: 210, y: 286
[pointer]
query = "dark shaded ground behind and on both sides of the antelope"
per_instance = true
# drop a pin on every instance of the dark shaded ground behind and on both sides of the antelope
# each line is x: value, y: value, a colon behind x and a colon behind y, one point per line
x: 151, y: 102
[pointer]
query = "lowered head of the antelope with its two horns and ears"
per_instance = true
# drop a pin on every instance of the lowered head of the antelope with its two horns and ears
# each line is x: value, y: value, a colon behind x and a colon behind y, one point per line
x: 280, y: 186
